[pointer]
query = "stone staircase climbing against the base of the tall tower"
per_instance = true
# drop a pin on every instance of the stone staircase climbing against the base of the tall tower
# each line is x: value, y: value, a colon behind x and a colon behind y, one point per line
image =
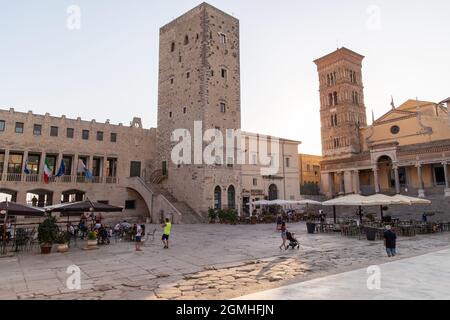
x: 158, y: 198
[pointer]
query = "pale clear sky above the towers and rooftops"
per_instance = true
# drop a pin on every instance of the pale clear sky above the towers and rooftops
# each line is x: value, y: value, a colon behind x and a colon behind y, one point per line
x: 109, y: 68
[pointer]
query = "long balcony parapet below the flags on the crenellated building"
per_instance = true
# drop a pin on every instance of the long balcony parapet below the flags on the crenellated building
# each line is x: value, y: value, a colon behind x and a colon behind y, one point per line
x: 38, y: 178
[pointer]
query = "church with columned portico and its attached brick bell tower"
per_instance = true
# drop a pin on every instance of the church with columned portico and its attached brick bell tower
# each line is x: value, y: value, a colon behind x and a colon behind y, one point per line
x: 405, y: 151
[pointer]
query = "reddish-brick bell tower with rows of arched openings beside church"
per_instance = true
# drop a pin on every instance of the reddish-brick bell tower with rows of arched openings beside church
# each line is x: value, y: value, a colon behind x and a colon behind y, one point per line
x: 342, y: 109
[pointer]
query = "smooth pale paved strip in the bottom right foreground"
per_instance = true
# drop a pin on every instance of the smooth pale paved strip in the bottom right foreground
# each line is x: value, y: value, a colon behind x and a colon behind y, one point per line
x: 423, y: 277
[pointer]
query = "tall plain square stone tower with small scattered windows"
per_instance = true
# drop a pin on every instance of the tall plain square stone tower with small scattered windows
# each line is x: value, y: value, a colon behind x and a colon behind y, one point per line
x: 199, y: 80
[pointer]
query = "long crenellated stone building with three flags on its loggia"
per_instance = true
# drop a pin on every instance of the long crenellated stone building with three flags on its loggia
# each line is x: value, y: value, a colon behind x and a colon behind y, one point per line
x: 112, y: 153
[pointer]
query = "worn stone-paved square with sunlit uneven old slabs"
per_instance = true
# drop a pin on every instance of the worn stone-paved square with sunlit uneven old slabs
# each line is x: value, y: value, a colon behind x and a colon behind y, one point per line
x: 204, y: 262
